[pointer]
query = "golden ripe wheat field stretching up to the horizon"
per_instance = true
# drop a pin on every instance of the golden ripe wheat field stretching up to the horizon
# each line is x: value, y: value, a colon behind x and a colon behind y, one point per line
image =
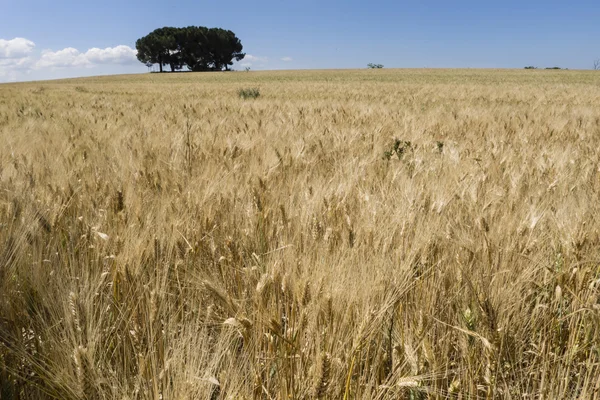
x: 346, y: 235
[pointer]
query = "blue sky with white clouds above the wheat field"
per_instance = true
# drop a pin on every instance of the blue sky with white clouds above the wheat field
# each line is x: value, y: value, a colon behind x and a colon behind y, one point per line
x: 42, y: 39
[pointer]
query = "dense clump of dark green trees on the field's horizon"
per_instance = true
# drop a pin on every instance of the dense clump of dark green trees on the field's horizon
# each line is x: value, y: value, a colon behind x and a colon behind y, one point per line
x: 196, y: 47
